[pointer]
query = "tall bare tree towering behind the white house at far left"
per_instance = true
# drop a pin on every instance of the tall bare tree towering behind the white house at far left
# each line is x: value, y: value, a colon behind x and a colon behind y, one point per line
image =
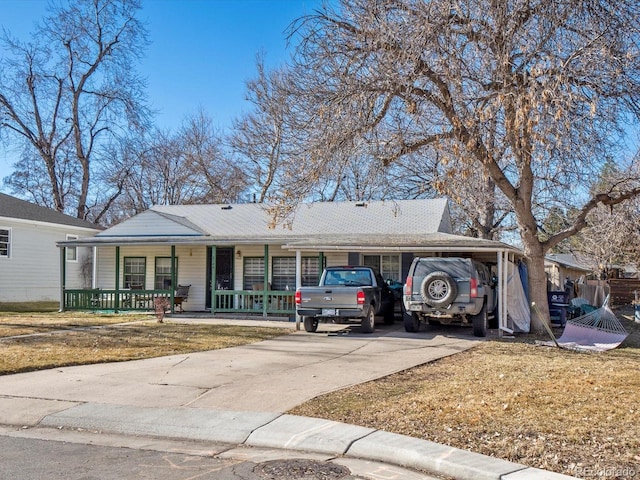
x: 71, y: 90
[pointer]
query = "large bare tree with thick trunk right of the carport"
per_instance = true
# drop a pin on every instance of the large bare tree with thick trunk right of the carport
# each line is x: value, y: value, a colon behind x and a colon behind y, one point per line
x: 529, y: 94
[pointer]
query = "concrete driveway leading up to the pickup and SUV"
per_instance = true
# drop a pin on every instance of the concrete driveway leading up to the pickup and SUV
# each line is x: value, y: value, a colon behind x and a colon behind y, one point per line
x: 270, y: 376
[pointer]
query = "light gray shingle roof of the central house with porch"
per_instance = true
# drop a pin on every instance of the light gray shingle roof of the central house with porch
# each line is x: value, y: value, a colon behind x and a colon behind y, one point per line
x: 403, y: 225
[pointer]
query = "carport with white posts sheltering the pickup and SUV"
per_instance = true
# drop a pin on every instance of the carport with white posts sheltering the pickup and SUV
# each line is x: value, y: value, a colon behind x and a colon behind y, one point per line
x: 490, y: 252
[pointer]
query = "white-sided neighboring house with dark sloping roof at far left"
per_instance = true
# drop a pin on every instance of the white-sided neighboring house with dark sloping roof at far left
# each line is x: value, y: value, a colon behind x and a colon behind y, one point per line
x: 30, y: 263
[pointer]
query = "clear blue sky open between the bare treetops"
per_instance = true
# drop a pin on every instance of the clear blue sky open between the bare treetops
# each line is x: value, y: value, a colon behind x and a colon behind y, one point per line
x: 201, y: 54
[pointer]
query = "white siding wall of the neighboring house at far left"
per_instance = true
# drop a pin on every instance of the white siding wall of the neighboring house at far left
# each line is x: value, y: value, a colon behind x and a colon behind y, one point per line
x: 32, y: 272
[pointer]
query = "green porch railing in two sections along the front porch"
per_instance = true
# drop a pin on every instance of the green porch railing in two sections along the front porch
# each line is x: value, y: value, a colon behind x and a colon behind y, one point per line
x: 223, y: 301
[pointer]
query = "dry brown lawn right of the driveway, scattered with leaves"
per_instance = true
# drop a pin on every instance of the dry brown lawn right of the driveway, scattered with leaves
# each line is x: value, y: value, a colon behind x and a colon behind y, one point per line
x: 560, y: 410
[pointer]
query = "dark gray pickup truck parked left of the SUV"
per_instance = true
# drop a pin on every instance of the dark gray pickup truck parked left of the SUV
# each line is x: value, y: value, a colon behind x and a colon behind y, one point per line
x: 346, y: 294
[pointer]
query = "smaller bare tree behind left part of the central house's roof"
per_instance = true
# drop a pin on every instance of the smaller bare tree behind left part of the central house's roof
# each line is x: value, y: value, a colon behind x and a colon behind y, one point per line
x: 165, y: 168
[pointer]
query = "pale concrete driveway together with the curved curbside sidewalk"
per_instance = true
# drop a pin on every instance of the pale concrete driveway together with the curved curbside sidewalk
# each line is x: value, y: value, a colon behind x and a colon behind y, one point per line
x: 238, y: 396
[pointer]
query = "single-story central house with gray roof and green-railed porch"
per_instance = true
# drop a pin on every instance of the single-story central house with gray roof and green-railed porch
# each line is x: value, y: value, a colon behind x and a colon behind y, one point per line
x: 236, y: 260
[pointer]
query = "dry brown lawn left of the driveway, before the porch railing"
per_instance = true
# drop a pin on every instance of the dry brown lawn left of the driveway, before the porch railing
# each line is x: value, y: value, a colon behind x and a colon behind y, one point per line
x: 54, y: 340
